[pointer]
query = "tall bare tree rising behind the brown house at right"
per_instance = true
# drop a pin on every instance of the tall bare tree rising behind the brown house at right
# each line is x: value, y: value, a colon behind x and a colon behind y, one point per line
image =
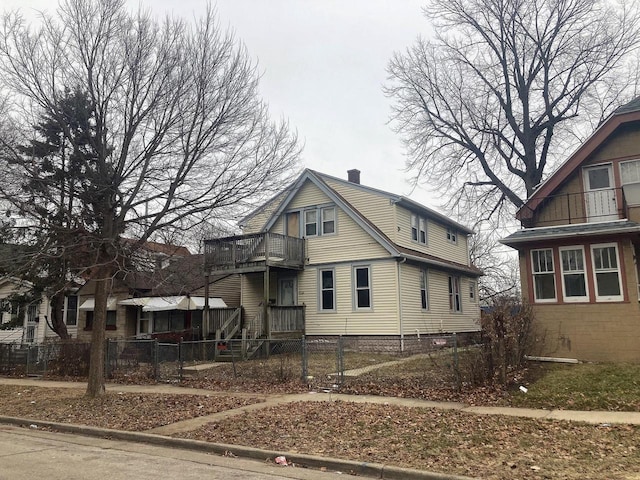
x: 504, y: 88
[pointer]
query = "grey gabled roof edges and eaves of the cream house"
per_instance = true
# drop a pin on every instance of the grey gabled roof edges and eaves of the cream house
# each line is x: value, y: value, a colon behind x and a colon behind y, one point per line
x: 318, y: 179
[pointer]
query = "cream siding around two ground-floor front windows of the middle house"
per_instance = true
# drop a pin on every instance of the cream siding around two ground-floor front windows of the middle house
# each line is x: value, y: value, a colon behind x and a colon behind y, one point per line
x: 382, y: 319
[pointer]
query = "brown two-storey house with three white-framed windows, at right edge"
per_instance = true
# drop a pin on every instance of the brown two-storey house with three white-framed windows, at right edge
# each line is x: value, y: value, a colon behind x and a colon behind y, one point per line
x: 579, y: 245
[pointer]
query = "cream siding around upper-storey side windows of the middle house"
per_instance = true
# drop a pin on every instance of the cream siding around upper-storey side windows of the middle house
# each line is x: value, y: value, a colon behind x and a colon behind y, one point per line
x: 437, y: 243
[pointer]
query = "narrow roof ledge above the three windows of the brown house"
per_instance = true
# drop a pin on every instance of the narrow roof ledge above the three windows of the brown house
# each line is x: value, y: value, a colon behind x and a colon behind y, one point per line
x: 613, y: 228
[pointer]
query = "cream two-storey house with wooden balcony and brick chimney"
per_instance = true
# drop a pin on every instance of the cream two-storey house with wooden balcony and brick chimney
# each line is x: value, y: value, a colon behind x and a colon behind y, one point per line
x: 329, y: 257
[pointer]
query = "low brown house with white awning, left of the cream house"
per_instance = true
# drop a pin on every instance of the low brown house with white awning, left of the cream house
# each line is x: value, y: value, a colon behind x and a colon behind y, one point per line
x: 166, y: 300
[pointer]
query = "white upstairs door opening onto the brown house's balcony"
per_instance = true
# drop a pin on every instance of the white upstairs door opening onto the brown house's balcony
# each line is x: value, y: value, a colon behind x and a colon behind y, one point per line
x: 599, y: 194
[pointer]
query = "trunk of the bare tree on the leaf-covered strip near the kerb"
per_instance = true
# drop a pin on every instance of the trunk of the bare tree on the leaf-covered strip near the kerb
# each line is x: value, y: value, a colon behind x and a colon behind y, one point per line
x: 95, y: 386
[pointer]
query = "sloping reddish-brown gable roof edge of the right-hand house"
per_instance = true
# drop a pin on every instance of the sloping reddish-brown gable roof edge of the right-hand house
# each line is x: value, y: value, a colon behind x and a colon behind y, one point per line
x: 627, y: 113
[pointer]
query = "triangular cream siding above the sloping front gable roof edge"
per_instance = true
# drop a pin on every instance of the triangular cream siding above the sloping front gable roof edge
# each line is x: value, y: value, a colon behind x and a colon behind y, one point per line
x: 377, y: 208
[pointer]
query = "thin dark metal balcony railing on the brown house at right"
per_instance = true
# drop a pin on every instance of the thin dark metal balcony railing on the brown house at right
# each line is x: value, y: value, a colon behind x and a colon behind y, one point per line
x: 579, y: 207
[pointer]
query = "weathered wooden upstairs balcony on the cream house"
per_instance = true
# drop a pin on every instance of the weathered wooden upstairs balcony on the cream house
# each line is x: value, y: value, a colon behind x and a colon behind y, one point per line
x: 253, y: 253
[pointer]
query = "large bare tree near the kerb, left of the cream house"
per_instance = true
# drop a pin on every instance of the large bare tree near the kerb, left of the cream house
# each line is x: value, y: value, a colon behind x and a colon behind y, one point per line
x: 179, y: 133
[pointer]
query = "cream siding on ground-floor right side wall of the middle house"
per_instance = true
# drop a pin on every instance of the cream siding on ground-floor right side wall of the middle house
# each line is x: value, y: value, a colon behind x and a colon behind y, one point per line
x: 438, y: 318
